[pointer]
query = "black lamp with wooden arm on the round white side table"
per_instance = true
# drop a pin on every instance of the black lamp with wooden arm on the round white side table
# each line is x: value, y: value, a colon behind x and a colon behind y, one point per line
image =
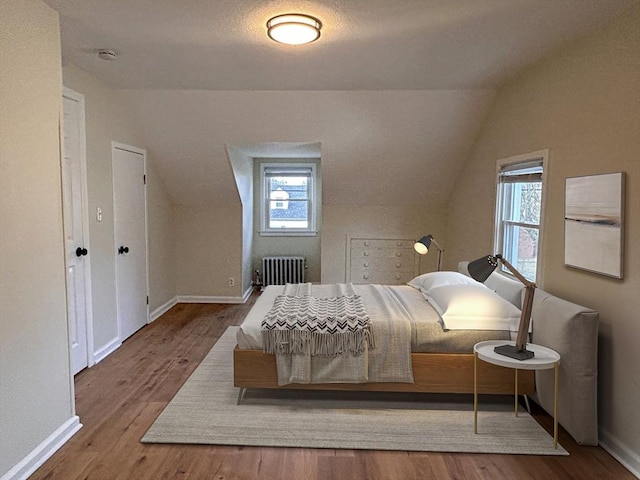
x: 480, y: 270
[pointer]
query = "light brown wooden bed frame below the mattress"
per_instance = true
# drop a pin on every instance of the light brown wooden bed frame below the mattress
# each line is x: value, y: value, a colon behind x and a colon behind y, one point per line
x: 433, y: 373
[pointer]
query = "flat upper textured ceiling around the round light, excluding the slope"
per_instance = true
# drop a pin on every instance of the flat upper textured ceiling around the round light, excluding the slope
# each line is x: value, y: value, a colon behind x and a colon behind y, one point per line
x: 365, y: 44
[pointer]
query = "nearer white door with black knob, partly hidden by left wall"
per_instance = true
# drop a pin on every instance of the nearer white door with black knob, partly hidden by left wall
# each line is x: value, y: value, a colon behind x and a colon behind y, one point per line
x: 75, y: 212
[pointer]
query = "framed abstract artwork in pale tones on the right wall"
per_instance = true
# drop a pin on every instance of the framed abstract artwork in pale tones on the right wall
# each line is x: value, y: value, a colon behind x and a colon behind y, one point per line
x: 594, y: 223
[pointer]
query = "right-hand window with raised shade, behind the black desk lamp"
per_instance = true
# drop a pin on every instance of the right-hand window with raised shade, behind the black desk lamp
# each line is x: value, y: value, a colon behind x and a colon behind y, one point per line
x: 518, y: 212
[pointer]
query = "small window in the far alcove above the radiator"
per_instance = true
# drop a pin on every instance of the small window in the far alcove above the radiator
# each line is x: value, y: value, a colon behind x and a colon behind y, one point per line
x: 288, y: 199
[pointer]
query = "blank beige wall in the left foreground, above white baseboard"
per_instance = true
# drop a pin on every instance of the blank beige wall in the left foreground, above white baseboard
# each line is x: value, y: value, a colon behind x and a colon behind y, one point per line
x: 36, y: 391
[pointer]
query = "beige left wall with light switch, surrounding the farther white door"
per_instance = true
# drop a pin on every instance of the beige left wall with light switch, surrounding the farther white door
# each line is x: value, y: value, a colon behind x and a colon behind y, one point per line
x: 107, y: 120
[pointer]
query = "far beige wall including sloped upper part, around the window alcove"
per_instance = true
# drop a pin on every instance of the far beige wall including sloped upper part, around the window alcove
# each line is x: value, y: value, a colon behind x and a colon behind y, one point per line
x: 375, y: 166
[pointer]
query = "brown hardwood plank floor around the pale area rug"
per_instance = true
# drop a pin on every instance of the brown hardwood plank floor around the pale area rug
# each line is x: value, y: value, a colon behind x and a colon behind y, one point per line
x: 118, y: 400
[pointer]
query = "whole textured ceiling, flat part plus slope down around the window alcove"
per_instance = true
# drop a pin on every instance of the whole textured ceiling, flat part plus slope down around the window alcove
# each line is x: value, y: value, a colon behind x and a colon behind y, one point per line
x: 395, y: 91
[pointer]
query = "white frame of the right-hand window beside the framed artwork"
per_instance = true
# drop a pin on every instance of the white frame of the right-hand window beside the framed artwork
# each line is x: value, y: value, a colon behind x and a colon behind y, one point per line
x: 542, y: 157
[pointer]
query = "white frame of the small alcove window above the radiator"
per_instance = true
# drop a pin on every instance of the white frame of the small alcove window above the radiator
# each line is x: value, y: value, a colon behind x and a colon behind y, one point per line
x: 265, y: 199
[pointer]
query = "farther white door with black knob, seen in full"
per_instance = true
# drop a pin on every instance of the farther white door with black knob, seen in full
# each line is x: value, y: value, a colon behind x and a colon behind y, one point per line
x: 129, y: 201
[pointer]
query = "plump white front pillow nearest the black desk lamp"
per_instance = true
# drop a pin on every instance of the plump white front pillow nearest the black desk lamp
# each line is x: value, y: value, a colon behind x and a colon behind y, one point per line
x: 473, y: 307
